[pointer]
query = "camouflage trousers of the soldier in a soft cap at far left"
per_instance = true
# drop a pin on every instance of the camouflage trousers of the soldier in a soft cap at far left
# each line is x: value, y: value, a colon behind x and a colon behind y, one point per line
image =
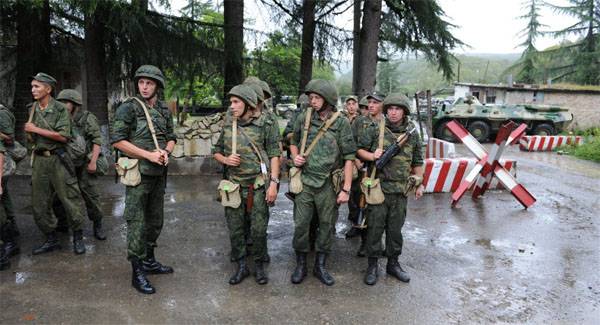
x: 50, y: 177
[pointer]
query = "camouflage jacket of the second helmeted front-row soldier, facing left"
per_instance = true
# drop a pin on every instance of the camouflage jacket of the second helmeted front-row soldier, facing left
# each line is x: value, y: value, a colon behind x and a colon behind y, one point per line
x: 263, y: 132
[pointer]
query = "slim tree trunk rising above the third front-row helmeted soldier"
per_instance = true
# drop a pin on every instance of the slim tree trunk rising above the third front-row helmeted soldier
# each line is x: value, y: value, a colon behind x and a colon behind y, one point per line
x: 308, y: 37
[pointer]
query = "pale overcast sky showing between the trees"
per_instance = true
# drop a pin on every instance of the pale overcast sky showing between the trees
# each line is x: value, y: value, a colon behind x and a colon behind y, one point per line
x: 487, y: 26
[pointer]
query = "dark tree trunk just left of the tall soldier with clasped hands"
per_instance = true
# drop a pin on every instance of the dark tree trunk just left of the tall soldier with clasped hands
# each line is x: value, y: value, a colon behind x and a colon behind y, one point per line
x: 95, y: 63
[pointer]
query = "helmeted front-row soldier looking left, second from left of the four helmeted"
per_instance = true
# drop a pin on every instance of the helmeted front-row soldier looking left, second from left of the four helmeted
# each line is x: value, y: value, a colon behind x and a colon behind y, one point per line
x: 258, y: 139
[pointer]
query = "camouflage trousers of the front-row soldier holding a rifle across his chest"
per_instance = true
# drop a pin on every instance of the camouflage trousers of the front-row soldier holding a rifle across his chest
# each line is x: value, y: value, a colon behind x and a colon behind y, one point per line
x: 389, y: 217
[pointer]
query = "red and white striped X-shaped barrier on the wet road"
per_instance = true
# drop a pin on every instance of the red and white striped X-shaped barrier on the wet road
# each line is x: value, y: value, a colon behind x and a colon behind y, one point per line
x: 488, y: 164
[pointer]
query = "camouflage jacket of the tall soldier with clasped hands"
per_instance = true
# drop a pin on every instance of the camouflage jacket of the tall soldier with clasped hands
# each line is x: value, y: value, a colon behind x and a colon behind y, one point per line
x: 130, y: 124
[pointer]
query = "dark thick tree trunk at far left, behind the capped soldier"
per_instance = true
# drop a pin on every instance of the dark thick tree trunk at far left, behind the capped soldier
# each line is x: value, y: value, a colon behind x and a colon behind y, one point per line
x: 33, y: 54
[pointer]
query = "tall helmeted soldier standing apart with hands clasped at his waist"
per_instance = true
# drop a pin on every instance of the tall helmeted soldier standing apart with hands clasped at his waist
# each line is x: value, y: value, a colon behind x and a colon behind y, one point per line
x: 144, y: 203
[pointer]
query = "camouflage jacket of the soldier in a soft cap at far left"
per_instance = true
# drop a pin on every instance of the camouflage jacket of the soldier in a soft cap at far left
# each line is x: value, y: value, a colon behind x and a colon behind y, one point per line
x: 54, y: 118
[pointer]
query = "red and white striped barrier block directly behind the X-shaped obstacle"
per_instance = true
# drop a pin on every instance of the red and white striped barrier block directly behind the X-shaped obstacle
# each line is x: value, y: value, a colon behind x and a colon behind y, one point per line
x: 445, y: 175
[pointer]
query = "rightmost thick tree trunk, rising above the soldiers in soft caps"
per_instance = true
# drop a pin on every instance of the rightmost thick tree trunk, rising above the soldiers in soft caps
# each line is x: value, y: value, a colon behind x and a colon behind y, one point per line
x: 369, y: 41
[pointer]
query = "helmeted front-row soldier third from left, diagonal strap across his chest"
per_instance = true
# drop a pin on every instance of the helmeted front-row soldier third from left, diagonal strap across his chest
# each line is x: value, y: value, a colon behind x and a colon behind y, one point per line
x: 335, y: 149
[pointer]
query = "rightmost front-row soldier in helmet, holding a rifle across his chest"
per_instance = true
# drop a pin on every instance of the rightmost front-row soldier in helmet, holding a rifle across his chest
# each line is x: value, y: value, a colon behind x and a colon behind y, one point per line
x: 391, y: 214
